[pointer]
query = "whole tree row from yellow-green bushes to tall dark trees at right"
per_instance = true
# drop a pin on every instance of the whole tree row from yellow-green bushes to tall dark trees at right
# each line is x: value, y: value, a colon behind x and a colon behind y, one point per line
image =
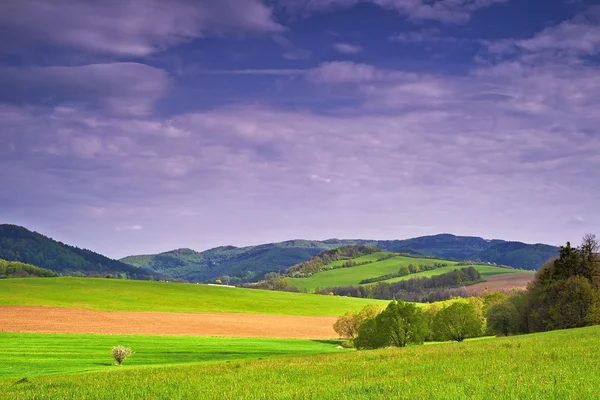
x: 564, y: 294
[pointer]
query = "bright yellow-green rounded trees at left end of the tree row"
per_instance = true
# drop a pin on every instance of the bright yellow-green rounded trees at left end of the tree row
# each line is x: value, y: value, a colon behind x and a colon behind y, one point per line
x: 401, y: 324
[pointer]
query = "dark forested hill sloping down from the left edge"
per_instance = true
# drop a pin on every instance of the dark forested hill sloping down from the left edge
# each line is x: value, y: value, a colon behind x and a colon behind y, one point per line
x: 20, y: 244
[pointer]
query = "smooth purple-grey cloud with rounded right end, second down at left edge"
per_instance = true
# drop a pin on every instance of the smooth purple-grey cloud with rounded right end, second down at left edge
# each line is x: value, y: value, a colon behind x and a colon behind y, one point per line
x: 120, y: 88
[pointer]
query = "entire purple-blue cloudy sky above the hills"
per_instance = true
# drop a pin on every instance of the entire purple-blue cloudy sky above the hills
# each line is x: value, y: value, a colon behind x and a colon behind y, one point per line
x: 140, y: 126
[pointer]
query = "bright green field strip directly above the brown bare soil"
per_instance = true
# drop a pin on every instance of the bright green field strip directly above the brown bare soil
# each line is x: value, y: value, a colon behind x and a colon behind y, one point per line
x: 126, y: 295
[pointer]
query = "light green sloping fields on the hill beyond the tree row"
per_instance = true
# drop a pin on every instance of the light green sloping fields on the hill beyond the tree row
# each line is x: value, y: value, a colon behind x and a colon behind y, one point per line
x: 353, y: 275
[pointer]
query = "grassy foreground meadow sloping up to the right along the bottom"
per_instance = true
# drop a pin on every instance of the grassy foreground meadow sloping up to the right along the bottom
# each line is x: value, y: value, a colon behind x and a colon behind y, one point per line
x: 553, y: 365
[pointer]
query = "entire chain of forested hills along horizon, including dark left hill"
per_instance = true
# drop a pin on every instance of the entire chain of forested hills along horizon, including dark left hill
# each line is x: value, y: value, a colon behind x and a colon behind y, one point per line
x: 247, y: 264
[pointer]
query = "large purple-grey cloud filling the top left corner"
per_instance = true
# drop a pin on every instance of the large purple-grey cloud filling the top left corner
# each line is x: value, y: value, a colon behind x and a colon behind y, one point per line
x: 128, y: 27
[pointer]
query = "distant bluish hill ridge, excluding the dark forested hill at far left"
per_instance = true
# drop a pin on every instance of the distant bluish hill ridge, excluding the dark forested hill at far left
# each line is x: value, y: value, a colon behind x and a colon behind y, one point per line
x: 246, y: 264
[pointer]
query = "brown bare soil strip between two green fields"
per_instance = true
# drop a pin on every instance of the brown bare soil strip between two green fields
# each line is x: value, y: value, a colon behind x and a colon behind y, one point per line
x: 66, y: 320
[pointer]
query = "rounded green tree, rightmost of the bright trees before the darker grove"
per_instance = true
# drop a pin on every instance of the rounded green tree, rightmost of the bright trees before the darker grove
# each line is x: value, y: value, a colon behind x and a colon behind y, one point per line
x: 457, y: 322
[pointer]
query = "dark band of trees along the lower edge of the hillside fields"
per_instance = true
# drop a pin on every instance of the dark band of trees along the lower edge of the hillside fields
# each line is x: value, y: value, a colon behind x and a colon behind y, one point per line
x: 410, y: 289
